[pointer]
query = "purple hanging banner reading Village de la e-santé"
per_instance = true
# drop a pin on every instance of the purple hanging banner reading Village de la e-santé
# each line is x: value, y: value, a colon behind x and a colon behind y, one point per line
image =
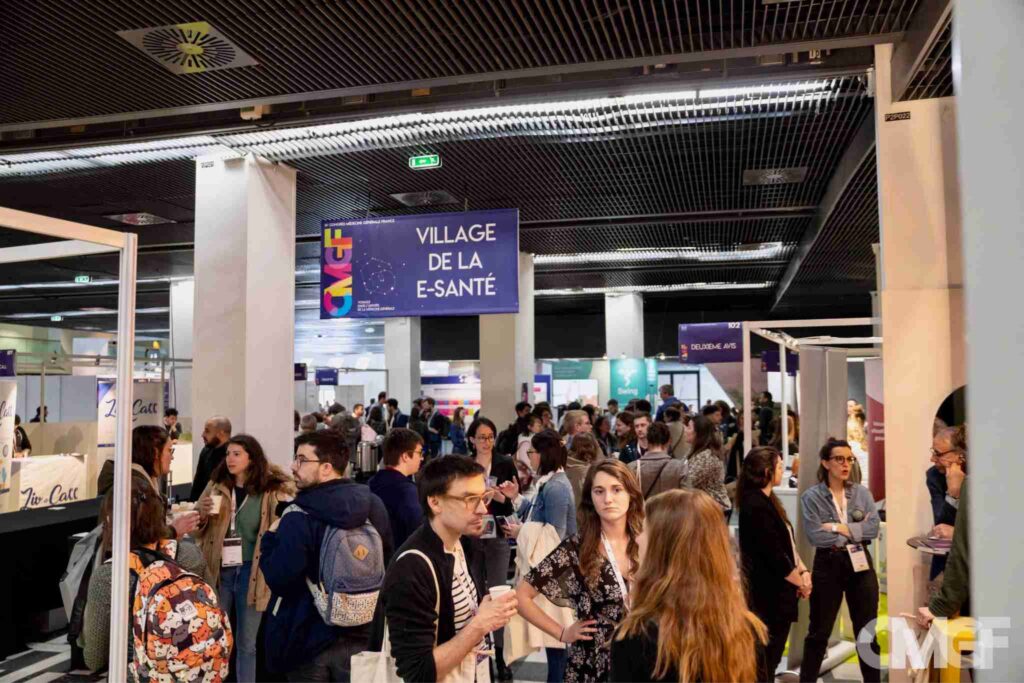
x: 430, y: 265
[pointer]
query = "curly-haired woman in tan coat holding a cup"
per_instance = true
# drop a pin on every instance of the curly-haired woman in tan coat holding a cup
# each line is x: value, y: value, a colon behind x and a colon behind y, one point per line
x: 236, y: 510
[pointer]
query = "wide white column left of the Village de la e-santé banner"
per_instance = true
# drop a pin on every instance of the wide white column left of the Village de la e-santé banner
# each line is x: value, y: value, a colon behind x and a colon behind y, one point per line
x: 244, y: 320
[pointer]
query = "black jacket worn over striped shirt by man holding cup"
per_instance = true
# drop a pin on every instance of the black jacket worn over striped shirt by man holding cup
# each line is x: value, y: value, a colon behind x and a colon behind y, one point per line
x: 408, y: 602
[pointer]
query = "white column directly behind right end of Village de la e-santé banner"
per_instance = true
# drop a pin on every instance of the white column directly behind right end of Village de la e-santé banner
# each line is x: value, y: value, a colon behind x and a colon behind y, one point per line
x: 507, y: 359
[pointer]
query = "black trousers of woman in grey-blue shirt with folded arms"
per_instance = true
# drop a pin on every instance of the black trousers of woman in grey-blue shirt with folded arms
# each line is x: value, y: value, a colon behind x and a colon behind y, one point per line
x: 833, y: 578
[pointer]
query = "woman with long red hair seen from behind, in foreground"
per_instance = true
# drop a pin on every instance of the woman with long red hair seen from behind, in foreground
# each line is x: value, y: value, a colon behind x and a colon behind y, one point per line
x: 689, y: 620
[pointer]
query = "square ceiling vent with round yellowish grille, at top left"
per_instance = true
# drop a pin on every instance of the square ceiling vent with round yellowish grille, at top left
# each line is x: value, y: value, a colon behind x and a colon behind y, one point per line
x: 189, y: 49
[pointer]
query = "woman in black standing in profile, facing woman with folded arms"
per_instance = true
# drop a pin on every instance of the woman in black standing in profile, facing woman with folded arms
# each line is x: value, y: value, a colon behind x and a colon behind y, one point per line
x: 776, y: 576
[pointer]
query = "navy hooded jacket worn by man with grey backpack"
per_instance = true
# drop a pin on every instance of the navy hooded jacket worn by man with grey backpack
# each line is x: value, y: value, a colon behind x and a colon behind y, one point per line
x: 294, y: 632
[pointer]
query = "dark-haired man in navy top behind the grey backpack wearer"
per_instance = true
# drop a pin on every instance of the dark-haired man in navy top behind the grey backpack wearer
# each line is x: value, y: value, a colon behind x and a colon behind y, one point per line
x: 403, y: 458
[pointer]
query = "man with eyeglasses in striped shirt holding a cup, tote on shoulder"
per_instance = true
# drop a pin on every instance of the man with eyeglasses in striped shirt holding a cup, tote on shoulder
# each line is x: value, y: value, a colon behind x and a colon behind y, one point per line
x: 438, y: 613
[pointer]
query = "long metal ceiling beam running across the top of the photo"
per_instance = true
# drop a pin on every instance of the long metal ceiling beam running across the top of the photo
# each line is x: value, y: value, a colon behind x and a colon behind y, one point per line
x: 559, y: 70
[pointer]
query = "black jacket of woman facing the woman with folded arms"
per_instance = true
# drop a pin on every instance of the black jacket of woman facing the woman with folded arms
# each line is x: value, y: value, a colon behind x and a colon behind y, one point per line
x: 766, y: 550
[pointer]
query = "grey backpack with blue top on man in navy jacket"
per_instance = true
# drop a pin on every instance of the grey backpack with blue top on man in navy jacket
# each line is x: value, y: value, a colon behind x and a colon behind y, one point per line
x: 352, y: 573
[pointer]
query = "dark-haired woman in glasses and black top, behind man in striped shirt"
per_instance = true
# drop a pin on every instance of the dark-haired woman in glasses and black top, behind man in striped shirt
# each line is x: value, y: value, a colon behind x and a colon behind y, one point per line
x: 496, y: 551
